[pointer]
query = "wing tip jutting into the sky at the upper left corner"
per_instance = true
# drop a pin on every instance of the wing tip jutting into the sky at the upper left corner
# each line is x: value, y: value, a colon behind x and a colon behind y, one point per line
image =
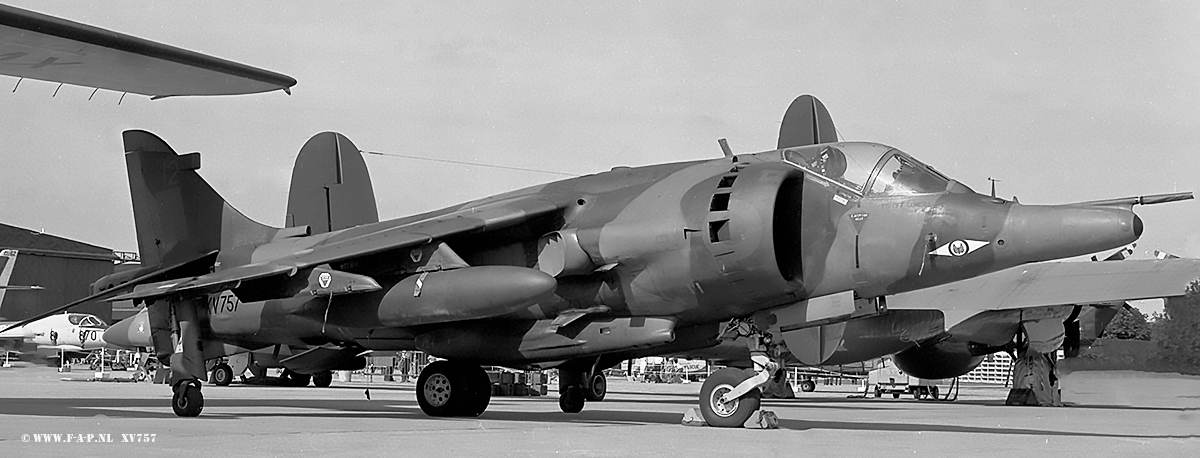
x: 44, y: 47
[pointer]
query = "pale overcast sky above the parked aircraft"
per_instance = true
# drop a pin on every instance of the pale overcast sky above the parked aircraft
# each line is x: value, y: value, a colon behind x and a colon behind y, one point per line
x: 1066, y: 103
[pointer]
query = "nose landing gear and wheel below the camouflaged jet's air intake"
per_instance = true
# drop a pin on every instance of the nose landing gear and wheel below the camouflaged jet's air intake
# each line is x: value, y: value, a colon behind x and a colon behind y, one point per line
x: 729, y: 396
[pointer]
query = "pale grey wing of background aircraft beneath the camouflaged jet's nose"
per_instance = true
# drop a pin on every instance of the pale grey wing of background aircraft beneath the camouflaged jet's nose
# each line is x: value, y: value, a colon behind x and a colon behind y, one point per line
x: 1057, y: 284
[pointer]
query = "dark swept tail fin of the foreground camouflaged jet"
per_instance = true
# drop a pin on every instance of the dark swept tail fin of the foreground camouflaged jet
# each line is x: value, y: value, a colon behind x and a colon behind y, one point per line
x: 177, y: 214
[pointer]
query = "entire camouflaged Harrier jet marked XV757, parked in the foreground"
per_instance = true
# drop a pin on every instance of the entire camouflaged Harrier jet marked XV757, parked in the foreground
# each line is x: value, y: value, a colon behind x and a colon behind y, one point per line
x: 580, y: 274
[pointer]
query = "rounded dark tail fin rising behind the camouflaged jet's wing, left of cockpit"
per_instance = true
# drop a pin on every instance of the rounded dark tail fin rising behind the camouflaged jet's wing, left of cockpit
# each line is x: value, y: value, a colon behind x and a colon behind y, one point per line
x: 331, y: 186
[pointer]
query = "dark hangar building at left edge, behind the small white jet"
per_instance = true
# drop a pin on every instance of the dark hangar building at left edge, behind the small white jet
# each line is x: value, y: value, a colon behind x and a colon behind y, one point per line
x: 64, y: 269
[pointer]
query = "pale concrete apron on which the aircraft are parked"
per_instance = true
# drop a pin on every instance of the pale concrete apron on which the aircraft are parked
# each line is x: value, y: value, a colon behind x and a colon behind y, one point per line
x: 1114, y: 414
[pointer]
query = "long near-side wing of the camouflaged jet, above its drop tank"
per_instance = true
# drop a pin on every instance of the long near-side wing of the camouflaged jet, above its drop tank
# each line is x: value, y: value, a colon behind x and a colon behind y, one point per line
x: 469, y: 221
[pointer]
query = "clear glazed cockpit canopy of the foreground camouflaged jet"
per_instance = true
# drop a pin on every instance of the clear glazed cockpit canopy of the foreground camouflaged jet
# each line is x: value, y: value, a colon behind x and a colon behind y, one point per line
x: 869, y: 168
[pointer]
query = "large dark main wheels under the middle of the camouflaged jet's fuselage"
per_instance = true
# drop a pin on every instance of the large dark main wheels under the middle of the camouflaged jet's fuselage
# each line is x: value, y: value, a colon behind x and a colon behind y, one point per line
x: 448, y: 389
